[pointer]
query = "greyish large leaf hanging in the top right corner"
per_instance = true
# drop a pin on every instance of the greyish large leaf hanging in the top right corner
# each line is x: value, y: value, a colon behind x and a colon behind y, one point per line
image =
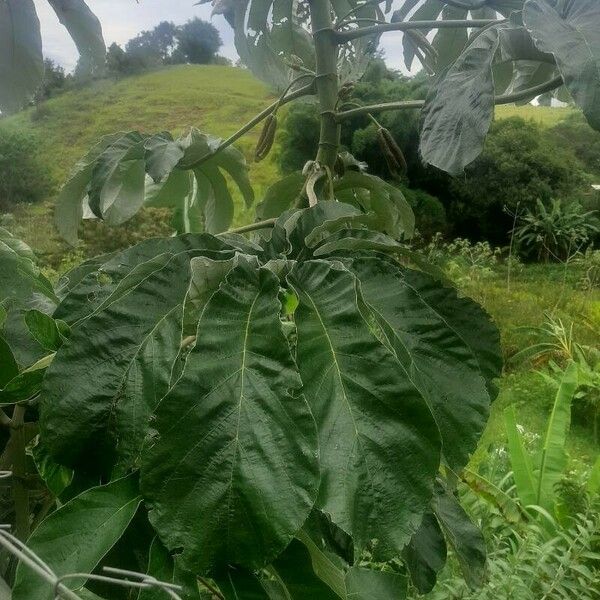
x: 572, y: 35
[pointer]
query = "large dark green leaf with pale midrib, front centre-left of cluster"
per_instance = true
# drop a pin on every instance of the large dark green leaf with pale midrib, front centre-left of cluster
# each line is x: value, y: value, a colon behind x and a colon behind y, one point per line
x: 233, y: 471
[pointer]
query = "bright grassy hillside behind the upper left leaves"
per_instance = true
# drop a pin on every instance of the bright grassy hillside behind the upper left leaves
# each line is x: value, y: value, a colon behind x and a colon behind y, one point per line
x: 215, y: 99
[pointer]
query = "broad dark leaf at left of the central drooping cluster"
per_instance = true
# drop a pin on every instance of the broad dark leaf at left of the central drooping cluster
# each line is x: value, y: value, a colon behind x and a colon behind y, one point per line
x: 106, y: 381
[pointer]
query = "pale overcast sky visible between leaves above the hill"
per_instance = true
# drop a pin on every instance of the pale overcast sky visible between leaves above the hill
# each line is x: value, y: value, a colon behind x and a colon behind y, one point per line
x: 123, y: 19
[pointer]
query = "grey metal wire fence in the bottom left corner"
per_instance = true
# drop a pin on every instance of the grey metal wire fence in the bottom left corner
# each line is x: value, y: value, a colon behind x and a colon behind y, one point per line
x: 113, y: 576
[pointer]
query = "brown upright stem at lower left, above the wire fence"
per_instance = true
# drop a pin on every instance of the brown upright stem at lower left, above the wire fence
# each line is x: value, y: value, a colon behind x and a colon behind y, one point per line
x: 19, y: 470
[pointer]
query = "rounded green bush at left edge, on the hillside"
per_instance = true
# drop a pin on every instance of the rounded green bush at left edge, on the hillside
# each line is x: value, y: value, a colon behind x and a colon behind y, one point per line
x: 24, y: 176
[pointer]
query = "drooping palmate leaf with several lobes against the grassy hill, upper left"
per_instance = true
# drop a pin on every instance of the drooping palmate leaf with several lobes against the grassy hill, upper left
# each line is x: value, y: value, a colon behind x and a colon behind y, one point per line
x: 128, y: 170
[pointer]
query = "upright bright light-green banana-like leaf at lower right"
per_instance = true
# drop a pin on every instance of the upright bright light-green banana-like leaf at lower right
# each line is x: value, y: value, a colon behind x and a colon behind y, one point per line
x: 553, y: 457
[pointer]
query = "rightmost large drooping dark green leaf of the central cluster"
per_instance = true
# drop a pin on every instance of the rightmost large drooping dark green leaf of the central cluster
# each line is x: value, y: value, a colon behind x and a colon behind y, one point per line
x: 437, y: 360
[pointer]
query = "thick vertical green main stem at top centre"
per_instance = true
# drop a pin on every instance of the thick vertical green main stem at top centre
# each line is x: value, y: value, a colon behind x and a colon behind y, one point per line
x: 326, y: 80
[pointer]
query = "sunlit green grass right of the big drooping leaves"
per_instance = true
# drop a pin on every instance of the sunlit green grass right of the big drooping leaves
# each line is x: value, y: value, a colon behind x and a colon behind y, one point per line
x: 534, y: 290
